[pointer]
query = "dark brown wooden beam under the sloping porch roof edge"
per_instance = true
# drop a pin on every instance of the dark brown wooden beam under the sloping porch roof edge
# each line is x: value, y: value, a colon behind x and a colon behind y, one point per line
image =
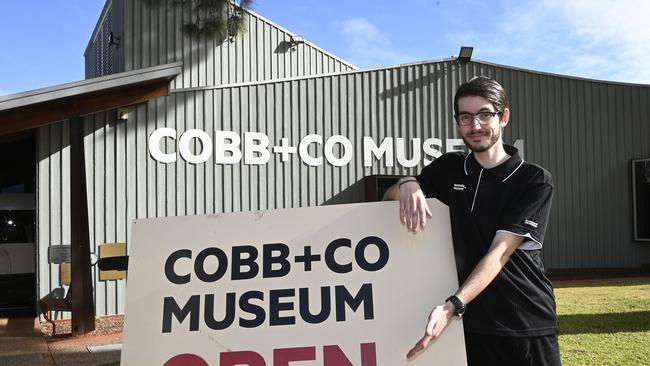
x: 40, y: 114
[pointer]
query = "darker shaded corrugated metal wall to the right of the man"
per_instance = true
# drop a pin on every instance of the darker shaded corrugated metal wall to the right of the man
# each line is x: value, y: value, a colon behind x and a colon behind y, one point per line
x: 585, y: 133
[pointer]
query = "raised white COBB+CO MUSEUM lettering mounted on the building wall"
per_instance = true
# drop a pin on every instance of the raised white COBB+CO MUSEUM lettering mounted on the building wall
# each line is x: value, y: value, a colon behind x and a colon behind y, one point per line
x: 197, y: 146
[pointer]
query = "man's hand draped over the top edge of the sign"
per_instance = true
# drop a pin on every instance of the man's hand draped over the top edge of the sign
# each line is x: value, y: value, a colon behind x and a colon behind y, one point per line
x: 413, y: 208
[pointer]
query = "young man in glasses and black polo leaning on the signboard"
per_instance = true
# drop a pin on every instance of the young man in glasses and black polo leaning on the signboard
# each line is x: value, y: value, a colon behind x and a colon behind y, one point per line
x: 499, y: 206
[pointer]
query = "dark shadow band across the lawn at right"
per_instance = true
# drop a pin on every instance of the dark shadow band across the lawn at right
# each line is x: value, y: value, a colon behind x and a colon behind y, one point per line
x: 638, y: 321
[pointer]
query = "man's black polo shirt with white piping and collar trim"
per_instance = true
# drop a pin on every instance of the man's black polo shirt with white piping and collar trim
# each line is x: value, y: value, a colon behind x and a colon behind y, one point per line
x: 514, y: 196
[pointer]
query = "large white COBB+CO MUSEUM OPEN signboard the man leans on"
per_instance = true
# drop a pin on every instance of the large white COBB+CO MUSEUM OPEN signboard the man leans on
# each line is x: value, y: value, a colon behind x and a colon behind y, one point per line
x: 333, y: 285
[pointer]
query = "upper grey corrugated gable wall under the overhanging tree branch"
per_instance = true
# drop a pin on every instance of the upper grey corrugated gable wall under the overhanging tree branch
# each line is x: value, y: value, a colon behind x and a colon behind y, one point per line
x: 262, y: 52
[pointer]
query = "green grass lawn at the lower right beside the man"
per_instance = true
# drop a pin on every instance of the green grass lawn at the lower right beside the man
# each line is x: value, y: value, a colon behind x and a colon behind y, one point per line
x: 604, y: 322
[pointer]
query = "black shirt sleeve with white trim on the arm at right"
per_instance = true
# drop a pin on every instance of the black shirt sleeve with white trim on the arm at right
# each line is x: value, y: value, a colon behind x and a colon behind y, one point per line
x: 529, y: 214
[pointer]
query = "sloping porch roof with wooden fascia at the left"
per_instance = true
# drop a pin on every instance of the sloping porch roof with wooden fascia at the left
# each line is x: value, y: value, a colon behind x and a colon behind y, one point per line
x: 35, y: 108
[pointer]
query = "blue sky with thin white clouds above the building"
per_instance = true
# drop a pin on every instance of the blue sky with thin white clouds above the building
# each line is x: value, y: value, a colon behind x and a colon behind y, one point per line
x: 42, y: 41
